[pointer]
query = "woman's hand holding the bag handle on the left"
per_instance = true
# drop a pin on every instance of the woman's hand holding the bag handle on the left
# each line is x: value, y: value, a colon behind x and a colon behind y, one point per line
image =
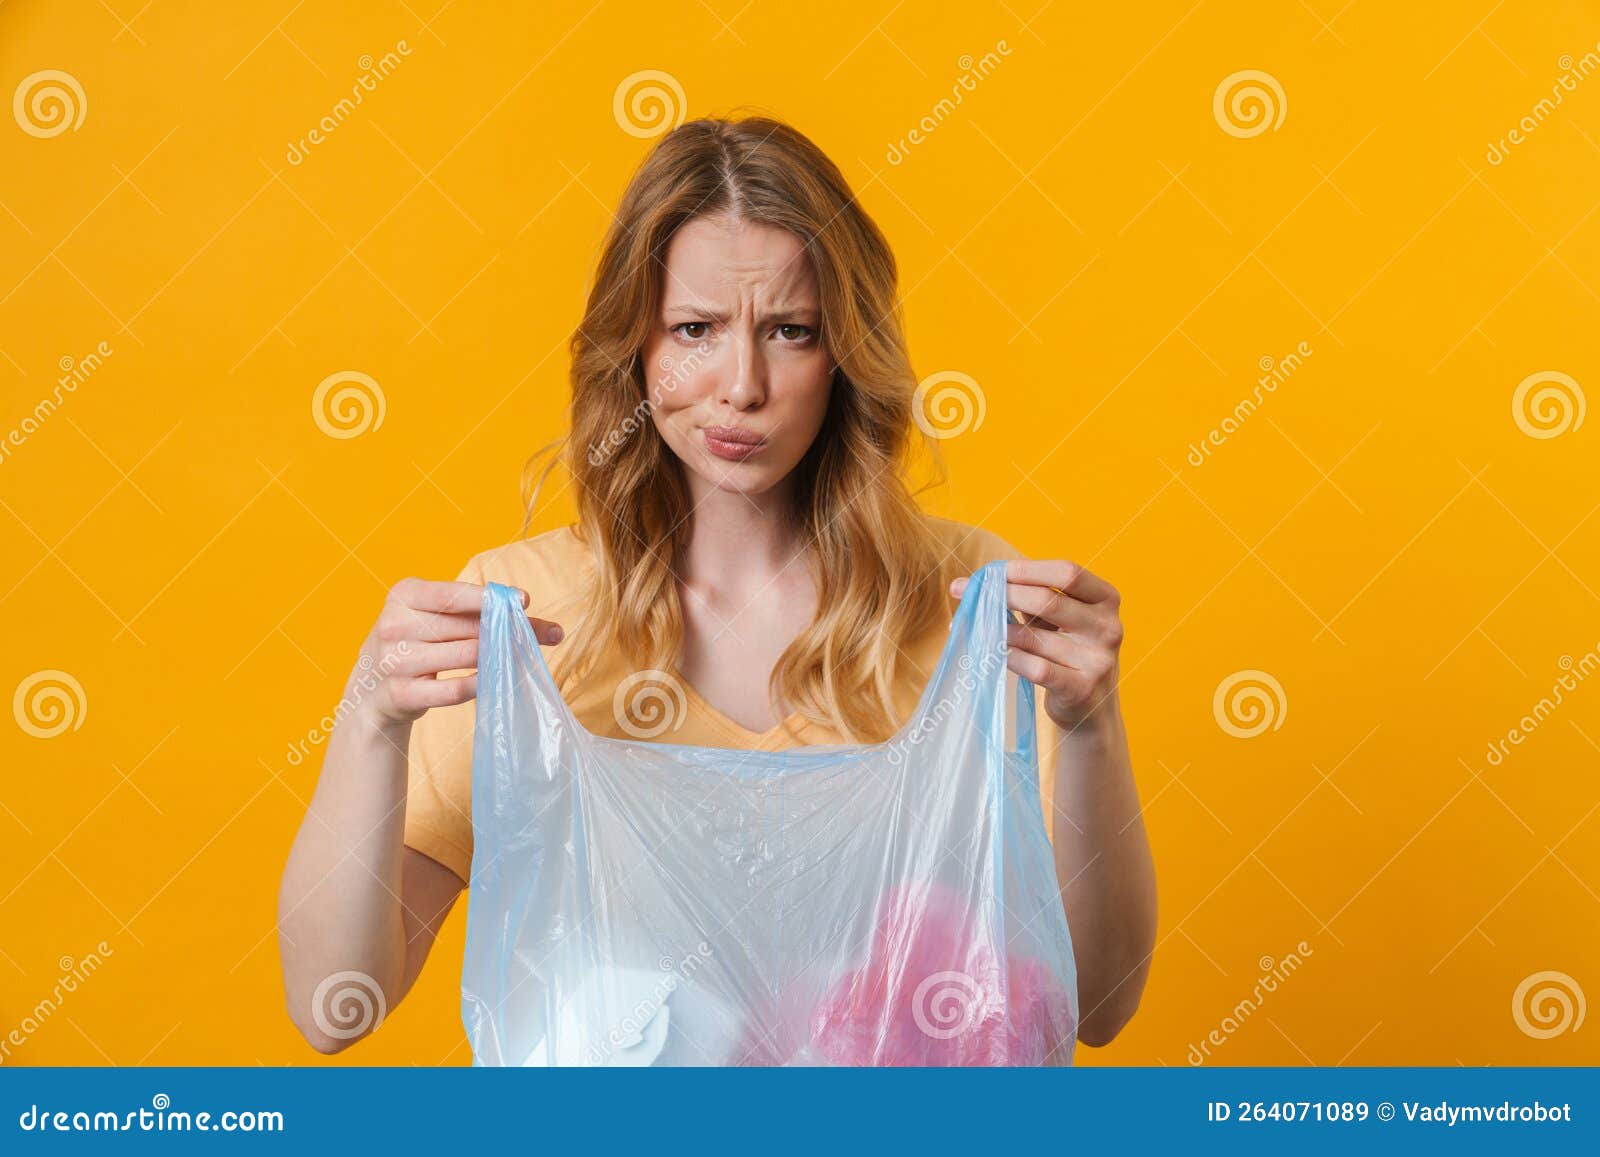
x: 423, y: 631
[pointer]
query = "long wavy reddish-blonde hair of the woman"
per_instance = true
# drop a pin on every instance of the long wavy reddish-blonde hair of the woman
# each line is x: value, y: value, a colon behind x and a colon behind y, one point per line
x: 876, y: 562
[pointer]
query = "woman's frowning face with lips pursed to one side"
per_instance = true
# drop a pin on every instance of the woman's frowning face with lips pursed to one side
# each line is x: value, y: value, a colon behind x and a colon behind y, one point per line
x: 737, y: 367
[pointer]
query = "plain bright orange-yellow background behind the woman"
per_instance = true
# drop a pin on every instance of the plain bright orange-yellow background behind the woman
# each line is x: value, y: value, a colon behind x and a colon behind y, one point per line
x: 1079, y: 236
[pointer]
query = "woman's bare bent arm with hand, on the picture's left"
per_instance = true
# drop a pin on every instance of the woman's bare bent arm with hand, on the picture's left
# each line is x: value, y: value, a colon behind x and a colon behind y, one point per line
x: 358, y: 910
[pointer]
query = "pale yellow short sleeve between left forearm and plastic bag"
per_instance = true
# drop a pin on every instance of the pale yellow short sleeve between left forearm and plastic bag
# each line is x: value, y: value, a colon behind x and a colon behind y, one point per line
x: 439, y: 777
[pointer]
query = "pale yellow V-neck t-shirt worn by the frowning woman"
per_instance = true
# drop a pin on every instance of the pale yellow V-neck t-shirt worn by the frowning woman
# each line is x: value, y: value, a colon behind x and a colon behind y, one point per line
x: 558, y: 572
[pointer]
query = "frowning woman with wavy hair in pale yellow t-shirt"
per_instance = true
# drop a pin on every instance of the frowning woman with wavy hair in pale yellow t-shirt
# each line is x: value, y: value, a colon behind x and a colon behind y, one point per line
x: 742, y: 422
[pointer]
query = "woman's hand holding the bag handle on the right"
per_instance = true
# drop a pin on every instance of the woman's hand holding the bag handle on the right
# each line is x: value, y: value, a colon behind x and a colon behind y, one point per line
x: 1070, y: 636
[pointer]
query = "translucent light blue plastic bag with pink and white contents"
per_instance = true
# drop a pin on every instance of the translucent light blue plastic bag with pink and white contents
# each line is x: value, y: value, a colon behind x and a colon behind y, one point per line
x: 641, y: 903
